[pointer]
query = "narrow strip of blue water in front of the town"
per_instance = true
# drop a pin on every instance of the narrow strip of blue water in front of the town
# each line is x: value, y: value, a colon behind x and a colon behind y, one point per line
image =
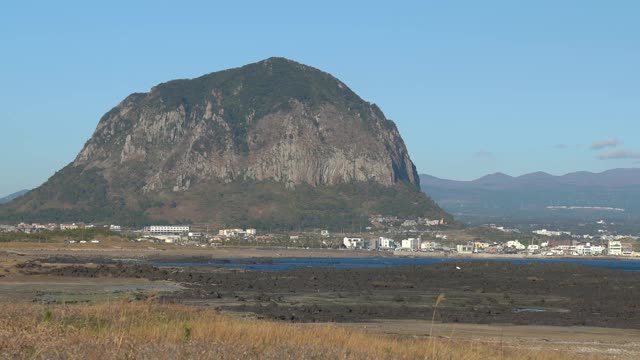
x: 283, y: 264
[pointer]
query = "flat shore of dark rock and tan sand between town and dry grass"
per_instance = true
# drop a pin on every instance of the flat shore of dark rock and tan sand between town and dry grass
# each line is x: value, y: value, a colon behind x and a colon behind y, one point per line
x: 559, y: 307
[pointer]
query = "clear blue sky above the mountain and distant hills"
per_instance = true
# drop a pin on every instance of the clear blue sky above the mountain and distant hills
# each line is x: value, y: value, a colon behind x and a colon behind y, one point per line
x: 475, y: 87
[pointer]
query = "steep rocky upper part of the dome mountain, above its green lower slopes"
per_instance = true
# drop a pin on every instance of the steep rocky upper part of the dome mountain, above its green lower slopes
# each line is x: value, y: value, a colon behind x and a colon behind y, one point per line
x: 274, y: 120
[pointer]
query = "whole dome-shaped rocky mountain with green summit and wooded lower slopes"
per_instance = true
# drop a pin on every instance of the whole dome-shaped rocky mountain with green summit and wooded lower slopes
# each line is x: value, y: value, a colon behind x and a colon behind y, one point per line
x: 274, y: 142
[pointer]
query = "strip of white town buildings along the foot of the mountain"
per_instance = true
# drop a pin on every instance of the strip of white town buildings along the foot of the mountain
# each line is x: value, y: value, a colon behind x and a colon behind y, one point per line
x: 421, y: 237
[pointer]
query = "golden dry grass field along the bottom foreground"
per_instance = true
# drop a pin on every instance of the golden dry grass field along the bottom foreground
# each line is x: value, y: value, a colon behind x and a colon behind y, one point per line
x: 148, y: 330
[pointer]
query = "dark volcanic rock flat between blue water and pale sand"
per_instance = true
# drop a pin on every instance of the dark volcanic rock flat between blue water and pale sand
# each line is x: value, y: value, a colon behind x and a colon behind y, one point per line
x: 481, y: 292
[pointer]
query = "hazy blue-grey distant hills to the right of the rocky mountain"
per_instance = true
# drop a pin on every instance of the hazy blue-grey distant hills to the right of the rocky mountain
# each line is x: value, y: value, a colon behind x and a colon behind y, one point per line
x: 528, y: 196
